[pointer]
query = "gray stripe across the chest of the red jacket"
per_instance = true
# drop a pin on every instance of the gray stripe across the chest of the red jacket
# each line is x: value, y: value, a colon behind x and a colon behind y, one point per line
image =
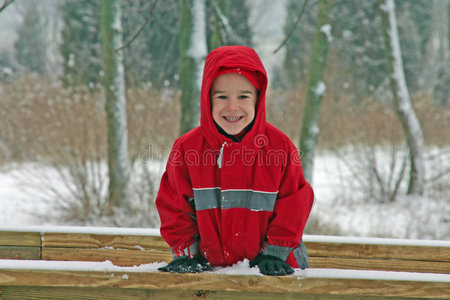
x: 214, y: 198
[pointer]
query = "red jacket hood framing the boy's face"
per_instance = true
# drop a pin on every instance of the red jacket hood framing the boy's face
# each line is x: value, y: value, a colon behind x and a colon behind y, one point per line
x: 230, y: 57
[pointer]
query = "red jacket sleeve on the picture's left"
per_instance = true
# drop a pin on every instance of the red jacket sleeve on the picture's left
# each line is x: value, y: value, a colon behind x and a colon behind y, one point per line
x: 174, y: 203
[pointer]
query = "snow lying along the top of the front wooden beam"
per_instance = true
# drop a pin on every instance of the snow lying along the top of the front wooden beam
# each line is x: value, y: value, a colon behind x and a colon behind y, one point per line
x: 241, y: 268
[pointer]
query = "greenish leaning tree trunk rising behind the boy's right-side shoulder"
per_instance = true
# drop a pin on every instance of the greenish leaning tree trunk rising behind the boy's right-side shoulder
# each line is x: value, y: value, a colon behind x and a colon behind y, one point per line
x: 316, y: 87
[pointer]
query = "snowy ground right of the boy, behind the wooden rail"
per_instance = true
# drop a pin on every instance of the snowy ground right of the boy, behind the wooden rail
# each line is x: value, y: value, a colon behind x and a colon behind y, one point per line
x: 345, y: 208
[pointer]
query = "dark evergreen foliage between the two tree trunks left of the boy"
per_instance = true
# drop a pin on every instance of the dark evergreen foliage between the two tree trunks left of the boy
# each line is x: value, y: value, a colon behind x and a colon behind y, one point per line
x: 154, y: 55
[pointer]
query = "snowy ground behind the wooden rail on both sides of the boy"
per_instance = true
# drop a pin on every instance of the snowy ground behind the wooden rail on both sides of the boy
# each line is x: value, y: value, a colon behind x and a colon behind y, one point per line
x: 337, y: 207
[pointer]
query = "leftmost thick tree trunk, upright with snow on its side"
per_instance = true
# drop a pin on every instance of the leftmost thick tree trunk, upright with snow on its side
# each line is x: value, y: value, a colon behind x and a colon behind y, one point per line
x: 115, y: 104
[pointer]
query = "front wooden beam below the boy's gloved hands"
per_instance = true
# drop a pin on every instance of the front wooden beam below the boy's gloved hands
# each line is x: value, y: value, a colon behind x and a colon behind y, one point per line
x: 221, y: 282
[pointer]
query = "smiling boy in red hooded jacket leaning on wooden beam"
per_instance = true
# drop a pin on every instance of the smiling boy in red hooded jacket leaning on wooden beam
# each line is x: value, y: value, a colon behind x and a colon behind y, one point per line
x: 234, y: 187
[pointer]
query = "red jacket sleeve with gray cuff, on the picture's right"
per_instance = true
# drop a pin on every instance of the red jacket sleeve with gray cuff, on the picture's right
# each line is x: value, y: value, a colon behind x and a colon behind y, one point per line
x: 292, y: 208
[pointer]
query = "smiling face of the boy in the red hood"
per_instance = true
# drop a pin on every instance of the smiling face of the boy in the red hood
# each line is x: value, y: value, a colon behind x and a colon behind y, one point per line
x: 233, y: 100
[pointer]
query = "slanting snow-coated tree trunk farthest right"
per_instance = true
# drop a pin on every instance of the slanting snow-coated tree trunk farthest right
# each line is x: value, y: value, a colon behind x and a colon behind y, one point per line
x: 402, y: 101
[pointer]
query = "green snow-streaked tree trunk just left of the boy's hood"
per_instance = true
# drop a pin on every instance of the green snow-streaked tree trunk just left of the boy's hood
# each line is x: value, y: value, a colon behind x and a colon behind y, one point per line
x: 193, y: 51
